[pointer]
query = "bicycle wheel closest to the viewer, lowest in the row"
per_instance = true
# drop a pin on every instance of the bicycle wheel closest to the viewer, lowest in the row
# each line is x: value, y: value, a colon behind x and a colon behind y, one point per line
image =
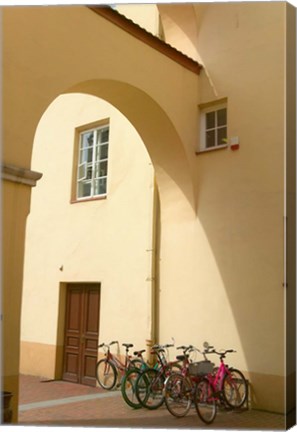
x: 205, y: 402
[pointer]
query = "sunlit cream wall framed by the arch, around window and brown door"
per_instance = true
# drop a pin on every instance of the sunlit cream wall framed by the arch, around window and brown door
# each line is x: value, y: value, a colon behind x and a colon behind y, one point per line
x: 104, y: 241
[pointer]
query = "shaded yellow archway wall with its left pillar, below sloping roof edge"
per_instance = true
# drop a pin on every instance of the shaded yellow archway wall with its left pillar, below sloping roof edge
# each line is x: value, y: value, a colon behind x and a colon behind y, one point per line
x: 55, y: 49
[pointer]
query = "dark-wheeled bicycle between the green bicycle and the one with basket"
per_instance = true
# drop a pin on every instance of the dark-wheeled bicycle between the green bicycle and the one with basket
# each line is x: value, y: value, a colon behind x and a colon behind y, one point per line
x: 149, y: 383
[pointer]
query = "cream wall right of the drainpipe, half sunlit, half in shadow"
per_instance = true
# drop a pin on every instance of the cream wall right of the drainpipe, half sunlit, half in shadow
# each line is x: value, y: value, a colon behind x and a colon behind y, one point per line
x: 229, y: 280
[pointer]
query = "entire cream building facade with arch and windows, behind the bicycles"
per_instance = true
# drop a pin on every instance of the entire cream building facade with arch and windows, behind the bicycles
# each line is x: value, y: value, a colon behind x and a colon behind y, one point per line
x: 197, y: 219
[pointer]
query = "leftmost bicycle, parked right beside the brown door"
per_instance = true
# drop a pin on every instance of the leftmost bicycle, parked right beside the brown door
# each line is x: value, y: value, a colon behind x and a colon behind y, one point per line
x: 109, y: 368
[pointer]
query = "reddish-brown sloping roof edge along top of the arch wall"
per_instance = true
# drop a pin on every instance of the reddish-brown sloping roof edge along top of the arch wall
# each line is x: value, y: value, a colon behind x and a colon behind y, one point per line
x: 148, y: 38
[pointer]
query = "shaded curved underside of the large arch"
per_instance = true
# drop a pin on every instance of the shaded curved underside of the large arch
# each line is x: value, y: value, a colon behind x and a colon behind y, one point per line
x: 156, y: 131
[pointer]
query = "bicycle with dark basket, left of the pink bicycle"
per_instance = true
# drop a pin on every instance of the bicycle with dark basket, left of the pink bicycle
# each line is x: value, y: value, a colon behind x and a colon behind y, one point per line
x: 189, y: 386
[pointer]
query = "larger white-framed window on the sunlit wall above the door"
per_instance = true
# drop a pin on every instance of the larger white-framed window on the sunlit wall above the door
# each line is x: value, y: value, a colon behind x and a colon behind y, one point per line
x: 92, y: 167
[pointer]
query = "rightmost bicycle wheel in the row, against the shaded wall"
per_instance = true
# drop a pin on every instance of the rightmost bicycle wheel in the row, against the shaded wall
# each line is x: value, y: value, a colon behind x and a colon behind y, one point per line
x: 234, y: 388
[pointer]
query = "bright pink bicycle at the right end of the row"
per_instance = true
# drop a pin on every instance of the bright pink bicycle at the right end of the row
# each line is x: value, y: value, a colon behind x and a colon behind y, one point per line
x: 229, y: 384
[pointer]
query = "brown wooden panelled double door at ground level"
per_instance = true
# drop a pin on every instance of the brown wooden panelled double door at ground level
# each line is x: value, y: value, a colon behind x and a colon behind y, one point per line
x: 81, y: 333
